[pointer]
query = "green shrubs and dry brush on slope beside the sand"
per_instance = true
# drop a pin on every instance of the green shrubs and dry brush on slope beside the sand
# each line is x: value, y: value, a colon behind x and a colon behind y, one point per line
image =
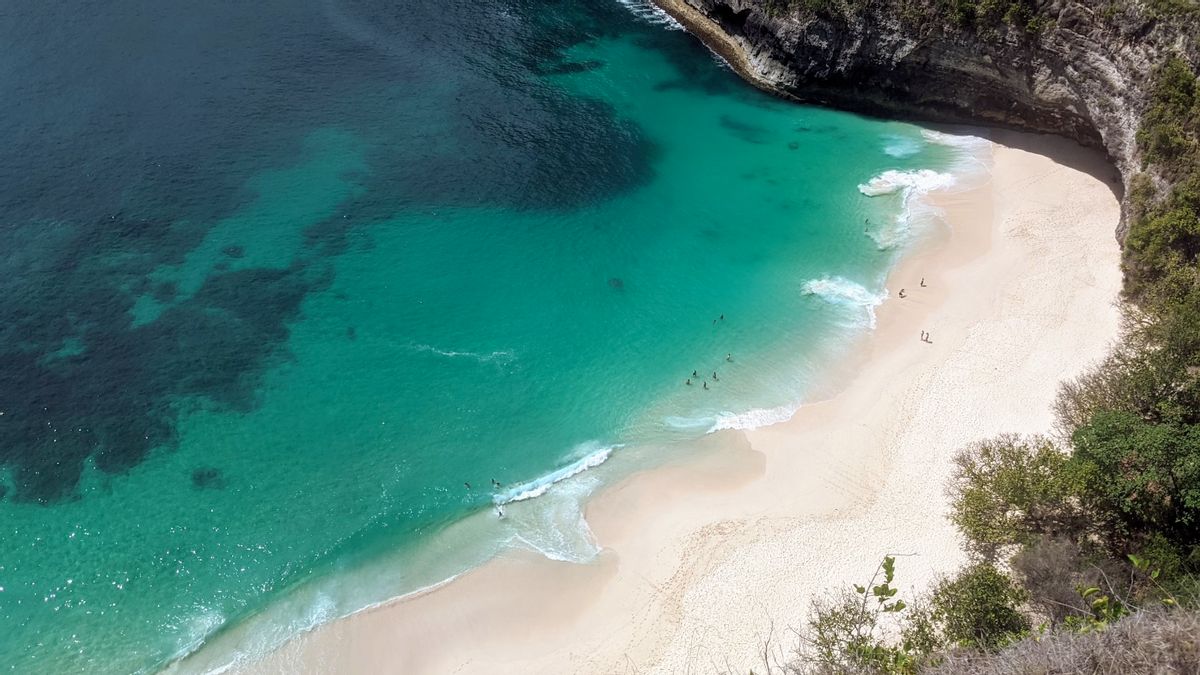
x: 1085, y: 547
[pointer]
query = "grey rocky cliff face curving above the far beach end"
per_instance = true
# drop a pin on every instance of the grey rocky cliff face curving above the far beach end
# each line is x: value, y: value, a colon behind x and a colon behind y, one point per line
x: 1072, y: 70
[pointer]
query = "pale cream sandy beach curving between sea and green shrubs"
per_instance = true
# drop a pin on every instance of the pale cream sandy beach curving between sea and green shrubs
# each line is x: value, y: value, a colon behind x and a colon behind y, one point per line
x: 705, y: 561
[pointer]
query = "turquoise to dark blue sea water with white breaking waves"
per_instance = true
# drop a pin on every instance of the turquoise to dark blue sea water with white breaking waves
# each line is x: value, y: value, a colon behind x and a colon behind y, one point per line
x: 260, y: 341
